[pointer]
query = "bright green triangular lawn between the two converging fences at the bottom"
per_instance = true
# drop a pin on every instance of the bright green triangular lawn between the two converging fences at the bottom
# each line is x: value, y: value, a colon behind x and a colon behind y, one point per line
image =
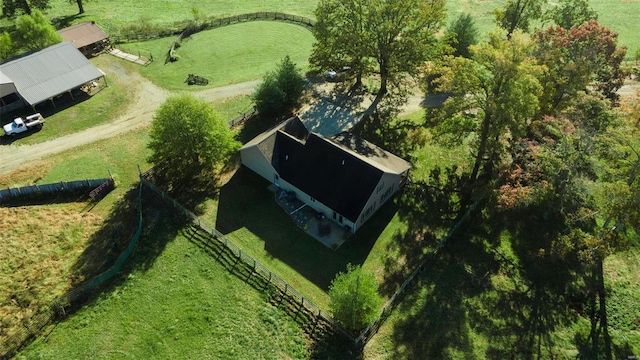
x: 181, y: 305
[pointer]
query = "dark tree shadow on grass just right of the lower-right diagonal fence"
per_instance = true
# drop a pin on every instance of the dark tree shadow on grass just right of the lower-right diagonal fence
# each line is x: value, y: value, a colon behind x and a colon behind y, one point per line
x: 434, y: 320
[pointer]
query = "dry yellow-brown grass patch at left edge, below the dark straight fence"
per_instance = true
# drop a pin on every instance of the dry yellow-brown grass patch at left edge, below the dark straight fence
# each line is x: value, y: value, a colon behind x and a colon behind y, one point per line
x: 39, y: 246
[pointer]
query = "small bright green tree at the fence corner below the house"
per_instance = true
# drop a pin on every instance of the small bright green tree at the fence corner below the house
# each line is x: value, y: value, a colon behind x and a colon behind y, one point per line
x: 354, y: 298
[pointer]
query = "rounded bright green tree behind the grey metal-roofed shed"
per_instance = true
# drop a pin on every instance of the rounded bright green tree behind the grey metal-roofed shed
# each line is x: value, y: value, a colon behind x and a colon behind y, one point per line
x: 35, y: 32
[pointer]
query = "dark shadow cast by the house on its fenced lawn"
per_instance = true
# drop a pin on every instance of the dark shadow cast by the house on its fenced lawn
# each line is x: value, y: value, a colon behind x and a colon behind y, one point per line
x: 246, y: 203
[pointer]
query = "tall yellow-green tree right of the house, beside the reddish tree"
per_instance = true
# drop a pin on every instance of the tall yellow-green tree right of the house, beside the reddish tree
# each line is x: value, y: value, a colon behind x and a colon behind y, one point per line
x: 497, y: 95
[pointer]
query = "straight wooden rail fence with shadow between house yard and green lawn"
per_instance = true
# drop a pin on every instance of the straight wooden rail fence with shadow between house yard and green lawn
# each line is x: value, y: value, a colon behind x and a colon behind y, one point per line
x: 250, y: 269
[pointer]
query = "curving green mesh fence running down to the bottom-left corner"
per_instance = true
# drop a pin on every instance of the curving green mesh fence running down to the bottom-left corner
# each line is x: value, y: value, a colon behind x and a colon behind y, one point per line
x: 57, y: 310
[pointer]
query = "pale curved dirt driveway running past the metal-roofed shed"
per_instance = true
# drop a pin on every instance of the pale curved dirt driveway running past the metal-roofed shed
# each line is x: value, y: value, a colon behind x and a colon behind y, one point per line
x: 148, y: 97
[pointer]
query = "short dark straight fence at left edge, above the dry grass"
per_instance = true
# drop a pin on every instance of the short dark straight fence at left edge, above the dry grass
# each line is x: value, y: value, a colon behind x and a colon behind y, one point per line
x: 90, y: 186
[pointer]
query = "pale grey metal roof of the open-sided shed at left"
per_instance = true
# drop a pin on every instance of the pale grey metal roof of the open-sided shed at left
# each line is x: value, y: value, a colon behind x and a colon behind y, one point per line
x: 50, y: 72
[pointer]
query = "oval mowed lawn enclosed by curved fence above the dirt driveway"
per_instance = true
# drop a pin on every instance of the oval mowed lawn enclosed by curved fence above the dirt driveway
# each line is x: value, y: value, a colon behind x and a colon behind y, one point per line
x: 226, y: 55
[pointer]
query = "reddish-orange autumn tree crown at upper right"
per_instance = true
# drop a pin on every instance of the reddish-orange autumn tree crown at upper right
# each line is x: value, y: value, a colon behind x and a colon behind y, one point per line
x: 575, y: 58
